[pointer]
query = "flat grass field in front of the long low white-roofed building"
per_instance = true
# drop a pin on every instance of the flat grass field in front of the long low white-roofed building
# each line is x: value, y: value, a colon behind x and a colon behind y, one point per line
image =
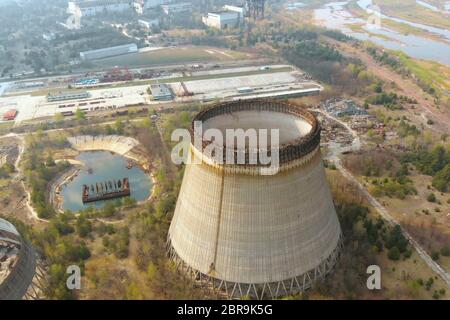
x: 171, y: 56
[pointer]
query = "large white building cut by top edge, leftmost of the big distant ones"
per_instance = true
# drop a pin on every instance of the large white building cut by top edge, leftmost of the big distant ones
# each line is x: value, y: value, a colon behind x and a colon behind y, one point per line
x: 90, y: 8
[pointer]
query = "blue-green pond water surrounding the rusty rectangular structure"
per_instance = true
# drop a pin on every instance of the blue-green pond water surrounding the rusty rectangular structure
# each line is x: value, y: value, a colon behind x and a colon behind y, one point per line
x: 101, y: 166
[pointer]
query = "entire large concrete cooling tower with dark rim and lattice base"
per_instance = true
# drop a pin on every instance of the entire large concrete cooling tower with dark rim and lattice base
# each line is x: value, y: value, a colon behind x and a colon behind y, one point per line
x: 245, y: 233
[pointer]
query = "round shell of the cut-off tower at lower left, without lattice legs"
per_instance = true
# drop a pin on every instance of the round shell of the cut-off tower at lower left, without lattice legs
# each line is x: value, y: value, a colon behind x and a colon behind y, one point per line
x: 17, y: 263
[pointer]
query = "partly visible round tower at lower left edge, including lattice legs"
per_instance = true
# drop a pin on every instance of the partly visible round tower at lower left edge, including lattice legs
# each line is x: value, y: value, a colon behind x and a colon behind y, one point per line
x: 25, y: 277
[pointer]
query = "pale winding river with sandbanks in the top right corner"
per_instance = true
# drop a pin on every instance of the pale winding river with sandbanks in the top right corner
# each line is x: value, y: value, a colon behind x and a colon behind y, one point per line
x: 334, y: 15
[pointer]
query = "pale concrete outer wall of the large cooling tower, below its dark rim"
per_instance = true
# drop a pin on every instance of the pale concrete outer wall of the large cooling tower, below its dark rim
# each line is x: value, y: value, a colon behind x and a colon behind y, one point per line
x: 255, y: 229
